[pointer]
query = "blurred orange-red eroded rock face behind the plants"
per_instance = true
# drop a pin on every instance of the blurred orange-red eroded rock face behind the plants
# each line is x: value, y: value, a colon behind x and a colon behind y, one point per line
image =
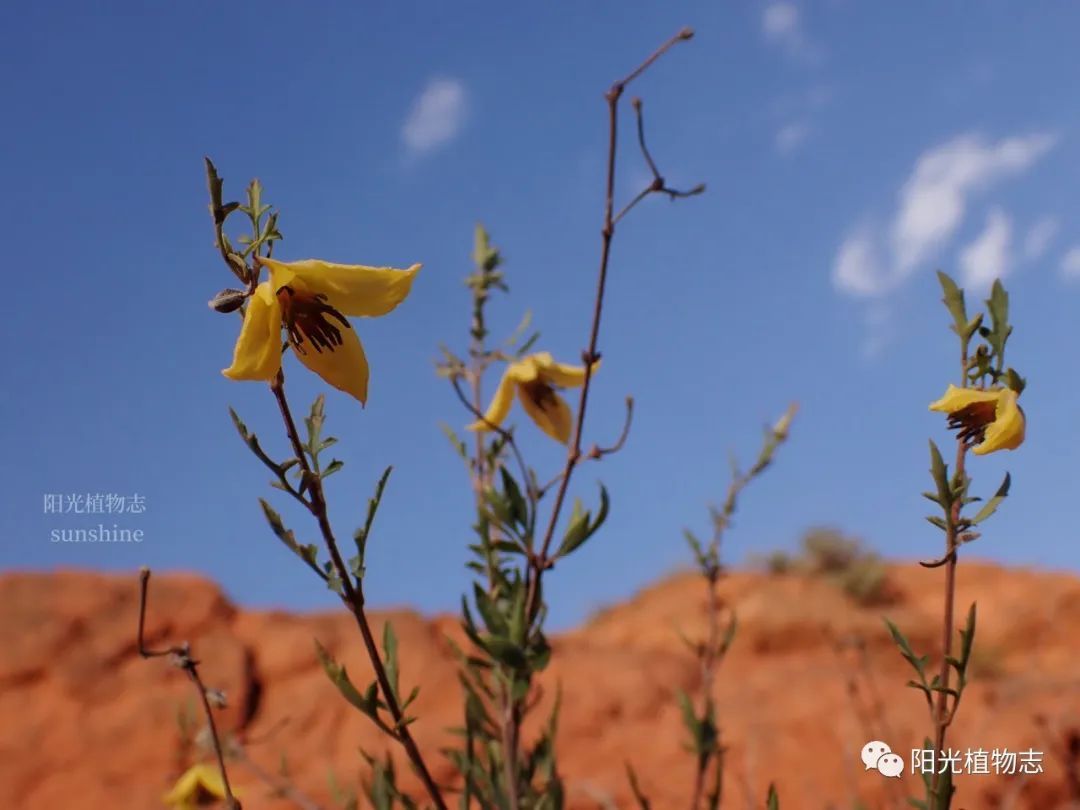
x: 87, y: 723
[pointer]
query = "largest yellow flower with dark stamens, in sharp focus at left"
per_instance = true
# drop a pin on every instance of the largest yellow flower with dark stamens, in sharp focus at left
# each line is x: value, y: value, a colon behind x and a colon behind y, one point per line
x: 312, y: 300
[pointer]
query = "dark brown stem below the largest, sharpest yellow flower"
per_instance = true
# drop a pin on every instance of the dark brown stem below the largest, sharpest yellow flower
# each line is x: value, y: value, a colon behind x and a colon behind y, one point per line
x: 354, y: 596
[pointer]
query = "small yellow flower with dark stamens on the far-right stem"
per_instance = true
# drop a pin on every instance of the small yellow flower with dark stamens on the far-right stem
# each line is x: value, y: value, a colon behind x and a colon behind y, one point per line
x: 992, y: 421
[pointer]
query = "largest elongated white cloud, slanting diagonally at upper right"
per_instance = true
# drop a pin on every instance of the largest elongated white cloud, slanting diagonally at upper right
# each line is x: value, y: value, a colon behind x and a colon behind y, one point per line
x: 933, y: 206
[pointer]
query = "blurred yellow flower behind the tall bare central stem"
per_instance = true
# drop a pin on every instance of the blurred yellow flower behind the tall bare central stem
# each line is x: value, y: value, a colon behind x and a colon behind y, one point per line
x: 536, y: 379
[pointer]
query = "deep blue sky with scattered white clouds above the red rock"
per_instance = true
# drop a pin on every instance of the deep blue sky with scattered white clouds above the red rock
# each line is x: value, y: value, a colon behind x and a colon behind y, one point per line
x: 849, y: 150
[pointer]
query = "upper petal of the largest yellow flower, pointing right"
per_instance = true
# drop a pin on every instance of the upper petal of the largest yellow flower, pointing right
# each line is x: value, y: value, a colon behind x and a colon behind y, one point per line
x: 354, y: 290
